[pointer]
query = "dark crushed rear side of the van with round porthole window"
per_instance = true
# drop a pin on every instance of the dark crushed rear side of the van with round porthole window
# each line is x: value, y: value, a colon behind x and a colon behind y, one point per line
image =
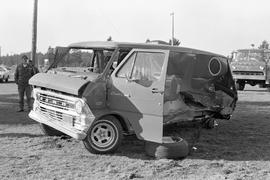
x: 198, y: 86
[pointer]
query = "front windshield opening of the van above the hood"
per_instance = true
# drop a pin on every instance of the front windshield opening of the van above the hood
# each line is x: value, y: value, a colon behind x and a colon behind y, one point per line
x: 83, y: 60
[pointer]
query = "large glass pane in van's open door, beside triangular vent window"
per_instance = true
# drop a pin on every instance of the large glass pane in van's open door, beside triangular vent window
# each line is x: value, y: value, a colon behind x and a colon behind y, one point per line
x: 147, y: 68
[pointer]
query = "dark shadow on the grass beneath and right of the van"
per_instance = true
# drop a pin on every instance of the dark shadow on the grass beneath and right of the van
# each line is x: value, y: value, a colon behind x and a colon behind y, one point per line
x: 234, y: 140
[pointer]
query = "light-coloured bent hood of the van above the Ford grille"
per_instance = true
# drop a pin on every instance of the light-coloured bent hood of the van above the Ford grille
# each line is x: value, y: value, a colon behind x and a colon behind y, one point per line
x: 58, y: 82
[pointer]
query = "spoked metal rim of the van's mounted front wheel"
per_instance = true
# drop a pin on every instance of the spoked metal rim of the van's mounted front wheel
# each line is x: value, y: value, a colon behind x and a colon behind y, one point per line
x: 103, y: 135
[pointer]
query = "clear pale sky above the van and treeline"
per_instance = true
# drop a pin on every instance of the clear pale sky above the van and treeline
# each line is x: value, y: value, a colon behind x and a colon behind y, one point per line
x: 219, y: 26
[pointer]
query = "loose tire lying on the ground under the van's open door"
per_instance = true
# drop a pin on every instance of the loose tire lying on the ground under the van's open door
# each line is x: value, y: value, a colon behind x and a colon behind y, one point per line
x: 170, y: 148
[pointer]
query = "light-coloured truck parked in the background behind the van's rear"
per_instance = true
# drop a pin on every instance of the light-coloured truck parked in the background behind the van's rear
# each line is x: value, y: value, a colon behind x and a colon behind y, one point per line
x: 251, y: 66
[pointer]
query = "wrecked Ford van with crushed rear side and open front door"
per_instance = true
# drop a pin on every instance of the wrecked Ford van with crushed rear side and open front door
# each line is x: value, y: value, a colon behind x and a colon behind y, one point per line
x: 98, y: 91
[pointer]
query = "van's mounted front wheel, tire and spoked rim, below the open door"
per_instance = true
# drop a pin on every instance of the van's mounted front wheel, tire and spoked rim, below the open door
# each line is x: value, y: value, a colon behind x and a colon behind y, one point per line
x: 104, y: 136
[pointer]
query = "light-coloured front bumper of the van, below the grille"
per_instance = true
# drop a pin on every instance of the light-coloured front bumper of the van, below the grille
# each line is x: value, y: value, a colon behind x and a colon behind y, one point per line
x: 60, y: 126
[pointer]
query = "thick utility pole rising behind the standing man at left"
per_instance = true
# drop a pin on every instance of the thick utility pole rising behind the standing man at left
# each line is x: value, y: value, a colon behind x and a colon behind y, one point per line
x: 34, y: 34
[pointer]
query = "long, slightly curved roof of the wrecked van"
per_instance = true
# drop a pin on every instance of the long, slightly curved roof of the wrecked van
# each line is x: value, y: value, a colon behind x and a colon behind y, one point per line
x: 127, y: 45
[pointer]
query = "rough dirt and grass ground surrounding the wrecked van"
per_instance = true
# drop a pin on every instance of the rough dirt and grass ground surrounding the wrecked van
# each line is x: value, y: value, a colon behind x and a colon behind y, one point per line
x: 236, y: 149
